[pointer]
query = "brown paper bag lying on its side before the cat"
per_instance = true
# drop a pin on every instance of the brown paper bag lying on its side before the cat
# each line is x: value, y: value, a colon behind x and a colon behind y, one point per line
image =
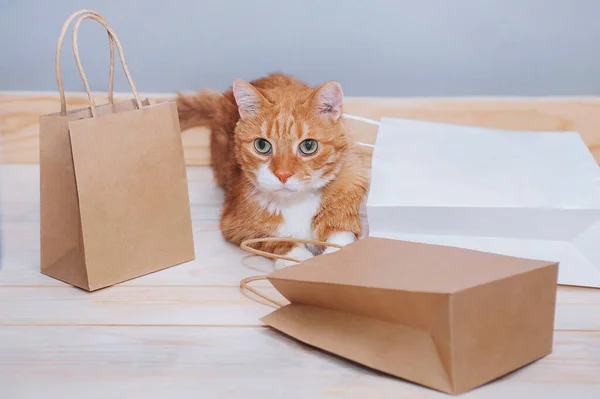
x: 448, y: 318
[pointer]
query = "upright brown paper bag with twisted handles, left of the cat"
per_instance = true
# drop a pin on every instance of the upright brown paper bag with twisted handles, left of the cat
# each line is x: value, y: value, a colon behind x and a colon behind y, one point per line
x: 113, y: 196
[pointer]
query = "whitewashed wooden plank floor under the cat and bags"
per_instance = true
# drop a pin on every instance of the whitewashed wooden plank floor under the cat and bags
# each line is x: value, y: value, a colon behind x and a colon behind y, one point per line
x: 188, y: 332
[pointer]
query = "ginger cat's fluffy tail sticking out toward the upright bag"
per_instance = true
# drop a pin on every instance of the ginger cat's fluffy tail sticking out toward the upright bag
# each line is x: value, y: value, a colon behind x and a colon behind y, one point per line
x: 197, y: 110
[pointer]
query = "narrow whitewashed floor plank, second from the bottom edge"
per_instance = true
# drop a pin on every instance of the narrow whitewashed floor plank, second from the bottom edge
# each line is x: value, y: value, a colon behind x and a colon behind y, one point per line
x: 577, y: 309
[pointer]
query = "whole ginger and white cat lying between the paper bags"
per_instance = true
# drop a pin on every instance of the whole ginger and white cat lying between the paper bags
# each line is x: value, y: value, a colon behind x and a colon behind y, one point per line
x: 280, y: 151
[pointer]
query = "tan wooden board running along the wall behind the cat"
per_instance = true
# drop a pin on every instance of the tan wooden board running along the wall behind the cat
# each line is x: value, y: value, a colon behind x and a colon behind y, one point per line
x: 19, y: 113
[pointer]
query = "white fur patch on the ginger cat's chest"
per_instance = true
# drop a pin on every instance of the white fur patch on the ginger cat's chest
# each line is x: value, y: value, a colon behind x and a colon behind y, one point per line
x: 297, y: 213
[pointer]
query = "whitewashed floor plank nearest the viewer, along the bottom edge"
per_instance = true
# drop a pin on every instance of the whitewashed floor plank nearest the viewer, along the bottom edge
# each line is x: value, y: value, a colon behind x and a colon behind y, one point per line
x: 196, y: 362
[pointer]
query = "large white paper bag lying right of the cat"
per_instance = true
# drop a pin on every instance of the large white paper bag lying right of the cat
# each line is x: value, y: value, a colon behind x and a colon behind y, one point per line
x: 527, y: 194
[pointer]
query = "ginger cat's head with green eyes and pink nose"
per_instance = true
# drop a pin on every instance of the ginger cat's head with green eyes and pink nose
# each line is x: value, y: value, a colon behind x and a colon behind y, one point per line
x: 289, y: 140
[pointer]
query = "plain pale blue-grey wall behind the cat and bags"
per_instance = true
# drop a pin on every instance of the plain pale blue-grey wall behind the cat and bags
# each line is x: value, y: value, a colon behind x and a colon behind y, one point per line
x: 374, y: 48
